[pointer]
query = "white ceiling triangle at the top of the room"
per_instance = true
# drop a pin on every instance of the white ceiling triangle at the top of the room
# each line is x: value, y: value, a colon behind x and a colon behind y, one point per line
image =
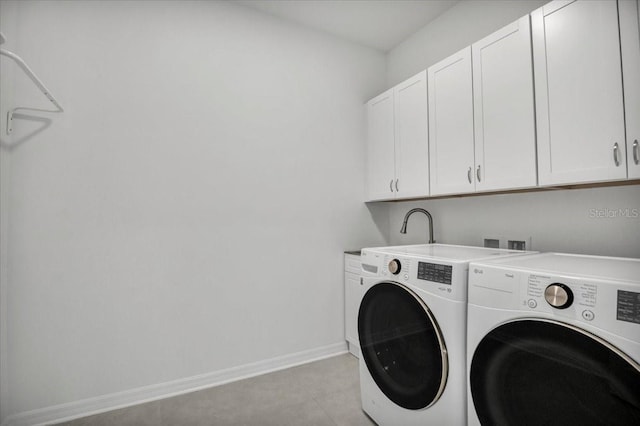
x: 380, y: 24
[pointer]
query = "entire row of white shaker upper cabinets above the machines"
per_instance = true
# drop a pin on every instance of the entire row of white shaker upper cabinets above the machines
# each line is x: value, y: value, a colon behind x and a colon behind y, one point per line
x: 540, y: 102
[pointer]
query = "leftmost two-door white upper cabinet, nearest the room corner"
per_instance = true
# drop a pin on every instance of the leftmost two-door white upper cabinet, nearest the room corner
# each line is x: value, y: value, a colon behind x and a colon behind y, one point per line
x: 398, y: 151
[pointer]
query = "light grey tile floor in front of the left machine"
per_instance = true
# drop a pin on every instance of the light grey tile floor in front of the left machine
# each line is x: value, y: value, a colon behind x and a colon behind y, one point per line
x: 322, y: 393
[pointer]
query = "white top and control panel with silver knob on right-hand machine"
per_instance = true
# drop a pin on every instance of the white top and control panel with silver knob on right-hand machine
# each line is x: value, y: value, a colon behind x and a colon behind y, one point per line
x: 596, y: 292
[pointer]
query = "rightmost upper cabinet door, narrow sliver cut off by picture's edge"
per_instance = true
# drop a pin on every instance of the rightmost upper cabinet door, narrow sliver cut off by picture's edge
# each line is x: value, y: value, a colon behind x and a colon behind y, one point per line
x: 630, y: 44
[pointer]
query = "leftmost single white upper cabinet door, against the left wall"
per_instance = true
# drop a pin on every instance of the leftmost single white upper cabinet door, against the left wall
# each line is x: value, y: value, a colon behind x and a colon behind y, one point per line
x: 380, y: 147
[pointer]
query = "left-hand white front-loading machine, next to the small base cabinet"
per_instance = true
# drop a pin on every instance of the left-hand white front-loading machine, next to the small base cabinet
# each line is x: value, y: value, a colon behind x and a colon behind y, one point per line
x: 411, y: 328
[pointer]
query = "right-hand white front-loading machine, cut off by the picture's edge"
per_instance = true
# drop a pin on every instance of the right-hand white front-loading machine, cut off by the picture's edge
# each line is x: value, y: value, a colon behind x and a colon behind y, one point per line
x: 554, y: 339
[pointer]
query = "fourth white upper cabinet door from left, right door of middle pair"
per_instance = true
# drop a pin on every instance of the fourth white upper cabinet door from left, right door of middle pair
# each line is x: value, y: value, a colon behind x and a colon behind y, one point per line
x: 504, y: 121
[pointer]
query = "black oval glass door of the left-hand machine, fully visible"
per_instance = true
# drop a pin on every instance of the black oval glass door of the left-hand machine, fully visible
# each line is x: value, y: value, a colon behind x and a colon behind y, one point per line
x: 402, y: 346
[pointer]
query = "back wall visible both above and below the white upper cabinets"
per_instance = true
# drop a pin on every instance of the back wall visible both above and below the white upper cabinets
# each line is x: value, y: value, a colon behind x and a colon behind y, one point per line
x: 558, y: 220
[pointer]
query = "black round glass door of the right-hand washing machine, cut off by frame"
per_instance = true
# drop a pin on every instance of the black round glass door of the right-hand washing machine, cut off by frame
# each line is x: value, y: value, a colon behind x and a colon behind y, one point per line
x: 537, y: 372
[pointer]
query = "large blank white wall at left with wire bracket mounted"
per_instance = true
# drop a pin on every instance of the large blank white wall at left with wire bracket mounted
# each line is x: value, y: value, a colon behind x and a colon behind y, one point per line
x: 188, y: 212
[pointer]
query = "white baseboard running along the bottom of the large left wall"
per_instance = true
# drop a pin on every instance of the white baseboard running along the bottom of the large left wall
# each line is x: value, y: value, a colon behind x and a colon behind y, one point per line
x: 100, y: 404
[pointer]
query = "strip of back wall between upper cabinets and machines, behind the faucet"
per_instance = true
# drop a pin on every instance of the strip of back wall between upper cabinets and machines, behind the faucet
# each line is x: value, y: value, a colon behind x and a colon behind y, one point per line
x: 598, y: 221
